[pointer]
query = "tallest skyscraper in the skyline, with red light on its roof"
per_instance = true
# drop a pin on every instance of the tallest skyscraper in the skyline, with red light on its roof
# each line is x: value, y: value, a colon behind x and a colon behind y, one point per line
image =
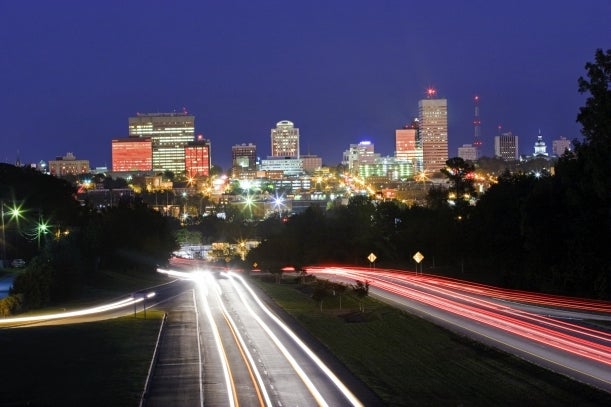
x: 433, y: 120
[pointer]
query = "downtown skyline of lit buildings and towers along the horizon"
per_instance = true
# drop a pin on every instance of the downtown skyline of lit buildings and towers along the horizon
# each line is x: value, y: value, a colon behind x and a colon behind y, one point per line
x: 167, y: 142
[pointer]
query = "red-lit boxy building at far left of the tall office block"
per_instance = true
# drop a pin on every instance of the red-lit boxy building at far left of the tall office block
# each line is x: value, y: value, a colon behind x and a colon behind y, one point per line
x: 132, y: 154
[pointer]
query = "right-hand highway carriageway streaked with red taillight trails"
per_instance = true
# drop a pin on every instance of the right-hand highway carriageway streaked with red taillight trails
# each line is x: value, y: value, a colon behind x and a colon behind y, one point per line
x: 560, y: 333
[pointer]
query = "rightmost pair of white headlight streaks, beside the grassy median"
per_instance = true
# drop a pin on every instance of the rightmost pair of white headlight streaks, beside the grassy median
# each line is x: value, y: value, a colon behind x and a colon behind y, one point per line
x: 330, y: 375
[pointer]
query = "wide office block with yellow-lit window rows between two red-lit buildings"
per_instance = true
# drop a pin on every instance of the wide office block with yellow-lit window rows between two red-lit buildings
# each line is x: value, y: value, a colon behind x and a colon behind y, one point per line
x: 170, y: 133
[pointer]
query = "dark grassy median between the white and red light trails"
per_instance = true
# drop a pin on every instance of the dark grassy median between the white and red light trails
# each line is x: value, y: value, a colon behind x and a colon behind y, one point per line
x: 408, y: 361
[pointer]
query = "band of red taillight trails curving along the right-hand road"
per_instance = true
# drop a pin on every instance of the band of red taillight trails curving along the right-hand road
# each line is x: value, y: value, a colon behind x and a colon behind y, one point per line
x: 504, y: 311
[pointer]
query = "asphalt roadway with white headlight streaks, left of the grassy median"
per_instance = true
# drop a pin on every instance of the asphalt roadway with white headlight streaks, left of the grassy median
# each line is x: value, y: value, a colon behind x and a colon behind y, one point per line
x: 236, y: 345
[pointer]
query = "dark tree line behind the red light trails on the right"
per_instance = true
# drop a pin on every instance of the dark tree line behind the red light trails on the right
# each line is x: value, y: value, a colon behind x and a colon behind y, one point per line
x: 547, y: 233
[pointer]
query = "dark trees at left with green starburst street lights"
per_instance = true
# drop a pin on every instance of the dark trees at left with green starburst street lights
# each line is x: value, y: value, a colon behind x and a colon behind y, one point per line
x: 78, y: 242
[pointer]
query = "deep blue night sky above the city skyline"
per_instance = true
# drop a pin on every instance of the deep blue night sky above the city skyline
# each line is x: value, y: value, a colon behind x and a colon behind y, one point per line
x: 72, y: 72
